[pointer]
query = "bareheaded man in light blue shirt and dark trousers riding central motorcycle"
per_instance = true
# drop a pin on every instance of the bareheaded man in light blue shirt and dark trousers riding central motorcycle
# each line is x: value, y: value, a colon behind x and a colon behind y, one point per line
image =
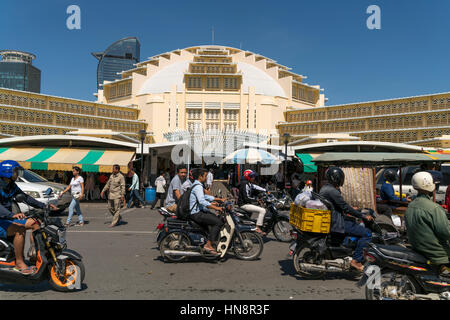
x: 200, y: 203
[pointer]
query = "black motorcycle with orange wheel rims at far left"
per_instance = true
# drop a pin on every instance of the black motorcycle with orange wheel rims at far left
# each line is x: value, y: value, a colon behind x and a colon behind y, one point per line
x: 61, y: 267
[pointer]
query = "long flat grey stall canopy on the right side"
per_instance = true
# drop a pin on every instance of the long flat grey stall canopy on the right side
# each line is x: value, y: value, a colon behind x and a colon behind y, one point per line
x: 379, y: 158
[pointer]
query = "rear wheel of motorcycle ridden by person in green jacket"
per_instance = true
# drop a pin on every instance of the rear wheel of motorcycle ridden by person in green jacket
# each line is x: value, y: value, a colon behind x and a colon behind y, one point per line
x: 394, y: 286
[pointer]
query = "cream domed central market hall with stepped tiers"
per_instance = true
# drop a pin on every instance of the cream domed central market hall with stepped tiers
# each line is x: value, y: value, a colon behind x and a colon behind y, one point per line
x: 211, y: 88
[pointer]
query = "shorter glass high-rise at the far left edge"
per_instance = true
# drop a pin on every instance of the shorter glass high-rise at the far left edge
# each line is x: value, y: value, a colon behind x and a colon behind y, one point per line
x: 17, y: 71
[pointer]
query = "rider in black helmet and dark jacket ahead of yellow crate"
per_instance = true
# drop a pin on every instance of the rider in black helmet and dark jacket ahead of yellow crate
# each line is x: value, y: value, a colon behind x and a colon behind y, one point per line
x: 343, y: 222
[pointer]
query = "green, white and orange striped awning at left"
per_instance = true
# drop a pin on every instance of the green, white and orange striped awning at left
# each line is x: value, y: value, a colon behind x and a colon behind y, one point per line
x: 64, y: 159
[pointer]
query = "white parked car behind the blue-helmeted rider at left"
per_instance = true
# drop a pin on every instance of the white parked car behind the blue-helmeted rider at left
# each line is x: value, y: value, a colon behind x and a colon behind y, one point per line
x: 34, y: 185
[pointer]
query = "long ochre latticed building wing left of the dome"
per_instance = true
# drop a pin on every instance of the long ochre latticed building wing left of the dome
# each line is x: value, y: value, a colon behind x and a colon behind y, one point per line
x: 26, y: 114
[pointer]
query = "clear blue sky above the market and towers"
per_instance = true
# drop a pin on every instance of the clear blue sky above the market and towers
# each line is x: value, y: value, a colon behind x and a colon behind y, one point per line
x: 327, y: 41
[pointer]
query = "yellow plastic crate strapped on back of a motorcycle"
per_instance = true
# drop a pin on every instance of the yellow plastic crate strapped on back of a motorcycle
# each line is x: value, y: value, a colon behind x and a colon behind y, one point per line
x: 310, y: 220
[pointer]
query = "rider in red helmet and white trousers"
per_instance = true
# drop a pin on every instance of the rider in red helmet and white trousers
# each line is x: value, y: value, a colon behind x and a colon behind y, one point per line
x: 246, y: 201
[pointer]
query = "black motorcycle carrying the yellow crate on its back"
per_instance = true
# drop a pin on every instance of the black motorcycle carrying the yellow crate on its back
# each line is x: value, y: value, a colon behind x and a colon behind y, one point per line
x: 315, y: 254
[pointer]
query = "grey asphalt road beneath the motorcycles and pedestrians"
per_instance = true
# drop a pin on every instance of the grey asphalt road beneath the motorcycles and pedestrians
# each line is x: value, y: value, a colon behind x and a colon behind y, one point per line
x: 124, y: 263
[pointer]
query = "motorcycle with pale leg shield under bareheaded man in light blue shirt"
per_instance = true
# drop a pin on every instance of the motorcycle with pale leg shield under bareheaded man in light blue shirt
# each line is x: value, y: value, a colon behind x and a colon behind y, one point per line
x: 179, y: 239
